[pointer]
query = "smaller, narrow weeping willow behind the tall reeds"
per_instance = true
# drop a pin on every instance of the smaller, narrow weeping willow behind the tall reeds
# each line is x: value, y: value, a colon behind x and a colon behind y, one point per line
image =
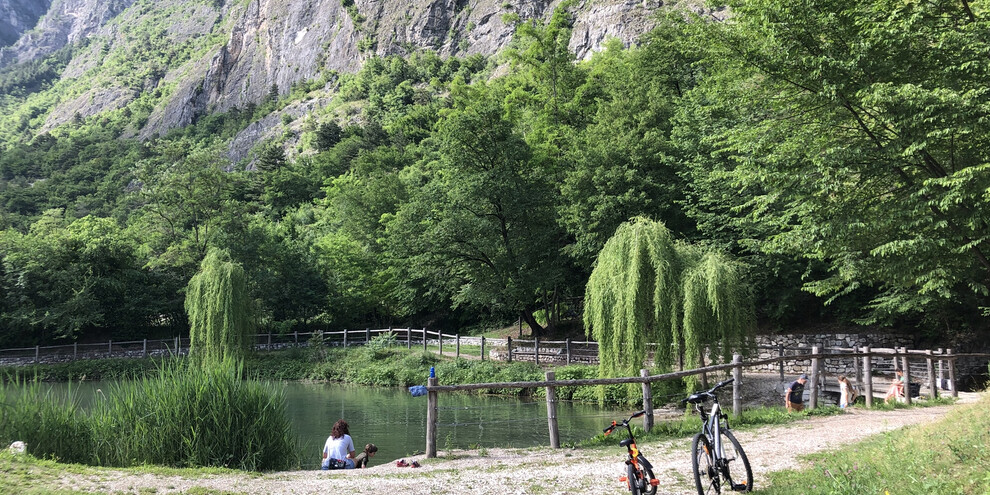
x: 219, y: 309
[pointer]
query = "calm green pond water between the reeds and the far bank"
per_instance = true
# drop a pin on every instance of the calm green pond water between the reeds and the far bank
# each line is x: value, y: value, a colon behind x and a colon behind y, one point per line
x: 395, y: 421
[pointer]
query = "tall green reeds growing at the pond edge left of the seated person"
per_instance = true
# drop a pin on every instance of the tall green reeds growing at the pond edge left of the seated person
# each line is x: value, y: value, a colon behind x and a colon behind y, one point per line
x: 186, y: 416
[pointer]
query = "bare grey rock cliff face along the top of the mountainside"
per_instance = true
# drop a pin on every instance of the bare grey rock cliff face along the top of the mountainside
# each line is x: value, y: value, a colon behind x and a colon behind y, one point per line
x: 253, y: 45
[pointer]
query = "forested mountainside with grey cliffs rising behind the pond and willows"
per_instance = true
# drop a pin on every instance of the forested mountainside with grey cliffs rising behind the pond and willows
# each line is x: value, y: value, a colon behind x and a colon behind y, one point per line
x: 460, y: 163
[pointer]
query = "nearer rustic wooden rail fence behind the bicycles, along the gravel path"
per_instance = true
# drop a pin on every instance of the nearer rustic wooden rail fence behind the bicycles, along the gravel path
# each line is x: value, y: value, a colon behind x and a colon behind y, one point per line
x: 816, y: 382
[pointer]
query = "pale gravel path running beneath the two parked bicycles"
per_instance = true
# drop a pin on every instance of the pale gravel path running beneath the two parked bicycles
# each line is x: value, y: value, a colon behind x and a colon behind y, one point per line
x: 537, y: 470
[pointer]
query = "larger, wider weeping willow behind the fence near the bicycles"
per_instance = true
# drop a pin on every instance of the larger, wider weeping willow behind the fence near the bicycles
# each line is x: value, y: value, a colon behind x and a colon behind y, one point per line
x: 648, y: 288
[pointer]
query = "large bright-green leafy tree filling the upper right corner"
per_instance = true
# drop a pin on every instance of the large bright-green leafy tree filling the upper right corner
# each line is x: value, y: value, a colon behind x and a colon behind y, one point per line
x: 859, y: 131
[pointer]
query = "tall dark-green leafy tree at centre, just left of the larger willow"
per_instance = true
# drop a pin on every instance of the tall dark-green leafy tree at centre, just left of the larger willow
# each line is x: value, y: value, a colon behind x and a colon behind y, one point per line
x: 481, y: 227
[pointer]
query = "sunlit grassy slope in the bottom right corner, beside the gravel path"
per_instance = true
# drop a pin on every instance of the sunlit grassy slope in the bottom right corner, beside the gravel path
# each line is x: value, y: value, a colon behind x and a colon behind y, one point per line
x: 949, y: 456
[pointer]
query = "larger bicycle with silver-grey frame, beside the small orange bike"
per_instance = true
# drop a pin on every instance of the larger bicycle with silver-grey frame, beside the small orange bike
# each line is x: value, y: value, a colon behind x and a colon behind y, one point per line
x: 711, y: 461
